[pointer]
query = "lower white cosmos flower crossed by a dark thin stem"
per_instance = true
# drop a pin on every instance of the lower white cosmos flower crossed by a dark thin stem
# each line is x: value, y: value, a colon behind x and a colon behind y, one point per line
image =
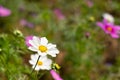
x: 43, y: 63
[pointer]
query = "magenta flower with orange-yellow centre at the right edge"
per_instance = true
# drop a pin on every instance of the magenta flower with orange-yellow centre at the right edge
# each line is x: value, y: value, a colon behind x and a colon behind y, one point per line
x: 109, y: 28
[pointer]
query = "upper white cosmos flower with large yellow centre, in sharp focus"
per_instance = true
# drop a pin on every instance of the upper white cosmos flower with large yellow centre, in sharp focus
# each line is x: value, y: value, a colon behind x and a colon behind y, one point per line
x: 42, y: 46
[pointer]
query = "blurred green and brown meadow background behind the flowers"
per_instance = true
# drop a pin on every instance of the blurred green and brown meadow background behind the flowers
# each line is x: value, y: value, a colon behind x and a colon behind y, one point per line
x: 86, y: 52
